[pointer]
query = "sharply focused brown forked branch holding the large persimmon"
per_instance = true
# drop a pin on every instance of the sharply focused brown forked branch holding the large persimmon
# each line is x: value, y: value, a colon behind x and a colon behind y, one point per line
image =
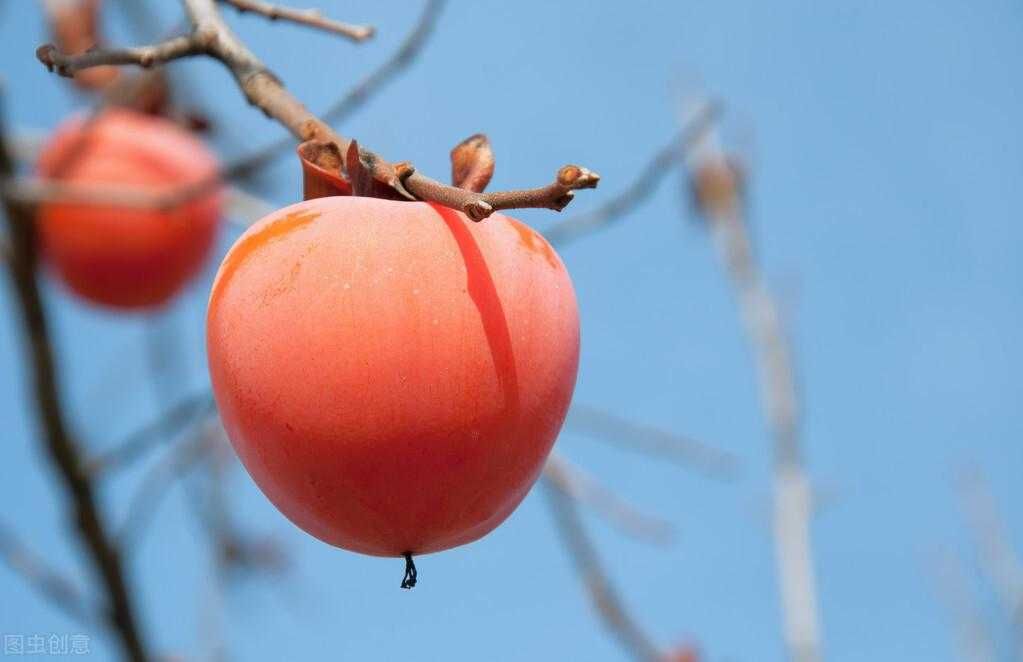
x: 211, y: 36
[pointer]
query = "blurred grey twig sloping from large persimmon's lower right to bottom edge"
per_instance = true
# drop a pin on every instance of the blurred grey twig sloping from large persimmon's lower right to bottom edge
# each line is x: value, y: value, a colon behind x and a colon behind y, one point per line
x: 604, y: 597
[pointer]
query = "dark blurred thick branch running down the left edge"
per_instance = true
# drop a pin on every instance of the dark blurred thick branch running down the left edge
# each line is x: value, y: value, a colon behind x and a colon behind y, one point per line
x: 63, y: 450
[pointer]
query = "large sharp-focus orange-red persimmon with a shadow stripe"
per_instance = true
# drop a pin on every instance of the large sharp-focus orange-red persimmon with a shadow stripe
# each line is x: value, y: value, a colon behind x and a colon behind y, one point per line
x: 392, y: 375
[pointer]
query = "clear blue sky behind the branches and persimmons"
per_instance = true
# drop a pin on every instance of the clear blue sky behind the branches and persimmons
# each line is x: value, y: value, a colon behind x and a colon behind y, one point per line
x: 887, y: 154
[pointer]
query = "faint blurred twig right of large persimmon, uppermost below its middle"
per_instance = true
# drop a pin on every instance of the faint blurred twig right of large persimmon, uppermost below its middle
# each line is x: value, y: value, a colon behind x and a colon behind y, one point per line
x: 689, y: 453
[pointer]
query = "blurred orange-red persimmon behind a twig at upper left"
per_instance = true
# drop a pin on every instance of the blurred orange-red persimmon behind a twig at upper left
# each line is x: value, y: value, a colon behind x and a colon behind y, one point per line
x: 120, y: 256
